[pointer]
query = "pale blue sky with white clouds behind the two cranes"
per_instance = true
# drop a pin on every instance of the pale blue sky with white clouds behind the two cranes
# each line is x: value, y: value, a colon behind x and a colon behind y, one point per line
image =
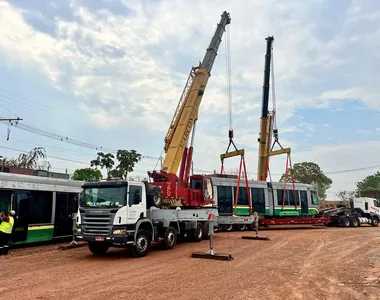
x: 108, y: 75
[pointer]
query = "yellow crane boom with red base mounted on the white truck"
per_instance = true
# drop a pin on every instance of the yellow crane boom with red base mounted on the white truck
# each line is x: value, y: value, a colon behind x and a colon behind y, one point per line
x: 174, y: 188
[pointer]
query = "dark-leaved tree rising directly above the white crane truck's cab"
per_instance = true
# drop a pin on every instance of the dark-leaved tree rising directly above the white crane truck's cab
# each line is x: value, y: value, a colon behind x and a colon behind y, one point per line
x: 127, y: 160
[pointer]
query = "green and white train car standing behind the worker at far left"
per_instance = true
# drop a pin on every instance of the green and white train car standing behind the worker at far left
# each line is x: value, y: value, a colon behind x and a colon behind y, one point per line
x: 44, y: 206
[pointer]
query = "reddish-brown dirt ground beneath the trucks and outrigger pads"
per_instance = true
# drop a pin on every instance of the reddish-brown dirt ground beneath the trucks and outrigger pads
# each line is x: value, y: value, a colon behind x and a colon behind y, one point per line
x: 302, y: 263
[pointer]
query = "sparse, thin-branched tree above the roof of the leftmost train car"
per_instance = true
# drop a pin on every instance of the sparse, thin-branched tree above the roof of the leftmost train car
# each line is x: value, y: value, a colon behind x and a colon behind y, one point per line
x: 29, y: 160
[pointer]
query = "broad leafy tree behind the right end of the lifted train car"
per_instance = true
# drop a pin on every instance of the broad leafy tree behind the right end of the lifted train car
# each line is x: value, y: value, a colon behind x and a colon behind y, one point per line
x: 310, y: 173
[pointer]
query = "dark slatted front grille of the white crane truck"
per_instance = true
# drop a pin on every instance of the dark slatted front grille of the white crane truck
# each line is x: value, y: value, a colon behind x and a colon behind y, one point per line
x: 96, y: 222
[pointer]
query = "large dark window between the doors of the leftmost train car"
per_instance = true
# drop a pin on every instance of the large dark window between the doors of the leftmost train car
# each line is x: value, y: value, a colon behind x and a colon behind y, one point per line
x: 40, y: 207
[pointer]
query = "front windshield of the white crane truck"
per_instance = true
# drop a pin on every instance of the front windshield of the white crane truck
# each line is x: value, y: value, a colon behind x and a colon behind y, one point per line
x: 103, y: 197
